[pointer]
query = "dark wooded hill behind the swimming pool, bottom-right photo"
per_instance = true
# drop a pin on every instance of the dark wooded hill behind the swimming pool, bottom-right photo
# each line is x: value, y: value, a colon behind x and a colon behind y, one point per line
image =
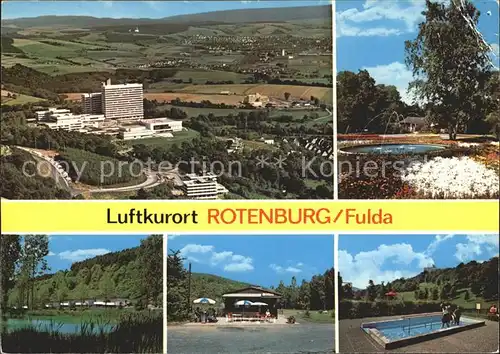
x: 481, y: 279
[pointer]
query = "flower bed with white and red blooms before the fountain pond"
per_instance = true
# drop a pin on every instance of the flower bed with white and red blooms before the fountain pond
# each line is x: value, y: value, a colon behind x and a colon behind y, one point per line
x: 371, y: 176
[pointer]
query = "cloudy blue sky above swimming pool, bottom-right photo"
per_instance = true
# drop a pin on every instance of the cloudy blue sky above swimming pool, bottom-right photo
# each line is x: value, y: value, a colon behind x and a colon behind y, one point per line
x: 388, y: 257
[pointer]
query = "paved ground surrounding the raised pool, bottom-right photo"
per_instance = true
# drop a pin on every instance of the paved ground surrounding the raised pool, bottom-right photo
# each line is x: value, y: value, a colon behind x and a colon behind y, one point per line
x: 478, y: 340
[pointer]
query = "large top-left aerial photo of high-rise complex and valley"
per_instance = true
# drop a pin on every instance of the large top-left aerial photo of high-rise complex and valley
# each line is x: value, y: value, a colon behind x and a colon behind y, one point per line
x: 167, y: 100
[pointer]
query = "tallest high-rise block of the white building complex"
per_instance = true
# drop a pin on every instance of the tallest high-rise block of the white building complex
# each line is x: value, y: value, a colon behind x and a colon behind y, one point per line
x: 123, y: 101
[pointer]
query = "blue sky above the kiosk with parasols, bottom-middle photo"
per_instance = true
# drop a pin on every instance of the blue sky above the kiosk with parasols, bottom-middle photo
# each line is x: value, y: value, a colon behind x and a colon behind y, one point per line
x: 259, y: 259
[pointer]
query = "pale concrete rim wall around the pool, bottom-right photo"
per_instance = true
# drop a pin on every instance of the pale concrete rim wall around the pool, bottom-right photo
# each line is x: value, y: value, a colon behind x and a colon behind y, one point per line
x: 371, y: 329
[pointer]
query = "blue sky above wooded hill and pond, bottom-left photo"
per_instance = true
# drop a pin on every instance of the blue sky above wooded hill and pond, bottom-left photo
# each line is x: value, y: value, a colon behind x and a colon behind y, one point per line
x: 67, y: 249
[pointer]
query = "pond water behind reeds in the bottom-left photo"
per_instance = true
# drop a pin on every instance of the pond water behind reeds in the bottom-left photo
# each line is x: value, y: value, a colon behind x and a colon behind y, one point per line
x: 63, y: 325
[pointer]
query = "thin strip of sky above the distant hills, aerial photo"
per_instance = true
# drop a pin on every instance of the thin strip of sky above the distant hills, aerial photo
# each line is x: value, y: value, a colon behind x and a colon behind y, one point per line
x: 134, y: 9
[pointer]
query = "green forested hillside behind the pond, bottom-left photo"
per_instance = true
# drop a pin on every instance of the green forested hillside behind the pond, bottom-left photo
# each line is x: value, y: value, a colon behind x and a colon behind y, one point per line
x: 132, y: 274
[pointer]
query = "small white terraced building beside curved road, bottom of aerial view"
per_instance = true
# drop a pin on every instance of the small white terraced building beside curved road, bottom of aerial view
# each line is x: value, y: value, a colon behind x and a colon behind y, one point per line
x: 203, y: 186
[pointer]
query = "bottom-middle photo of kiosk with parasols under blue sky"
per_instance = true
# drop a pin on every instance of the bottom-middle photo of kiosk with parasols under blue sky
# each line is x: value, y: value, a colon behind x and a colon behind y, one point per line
x: 250, y: 294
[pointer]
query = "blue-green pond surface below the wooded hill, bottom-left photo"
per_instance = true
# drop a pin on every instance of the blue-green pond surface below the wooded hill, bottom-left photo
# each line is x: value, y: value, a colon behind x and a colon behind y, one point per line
x: 43, y: 325
